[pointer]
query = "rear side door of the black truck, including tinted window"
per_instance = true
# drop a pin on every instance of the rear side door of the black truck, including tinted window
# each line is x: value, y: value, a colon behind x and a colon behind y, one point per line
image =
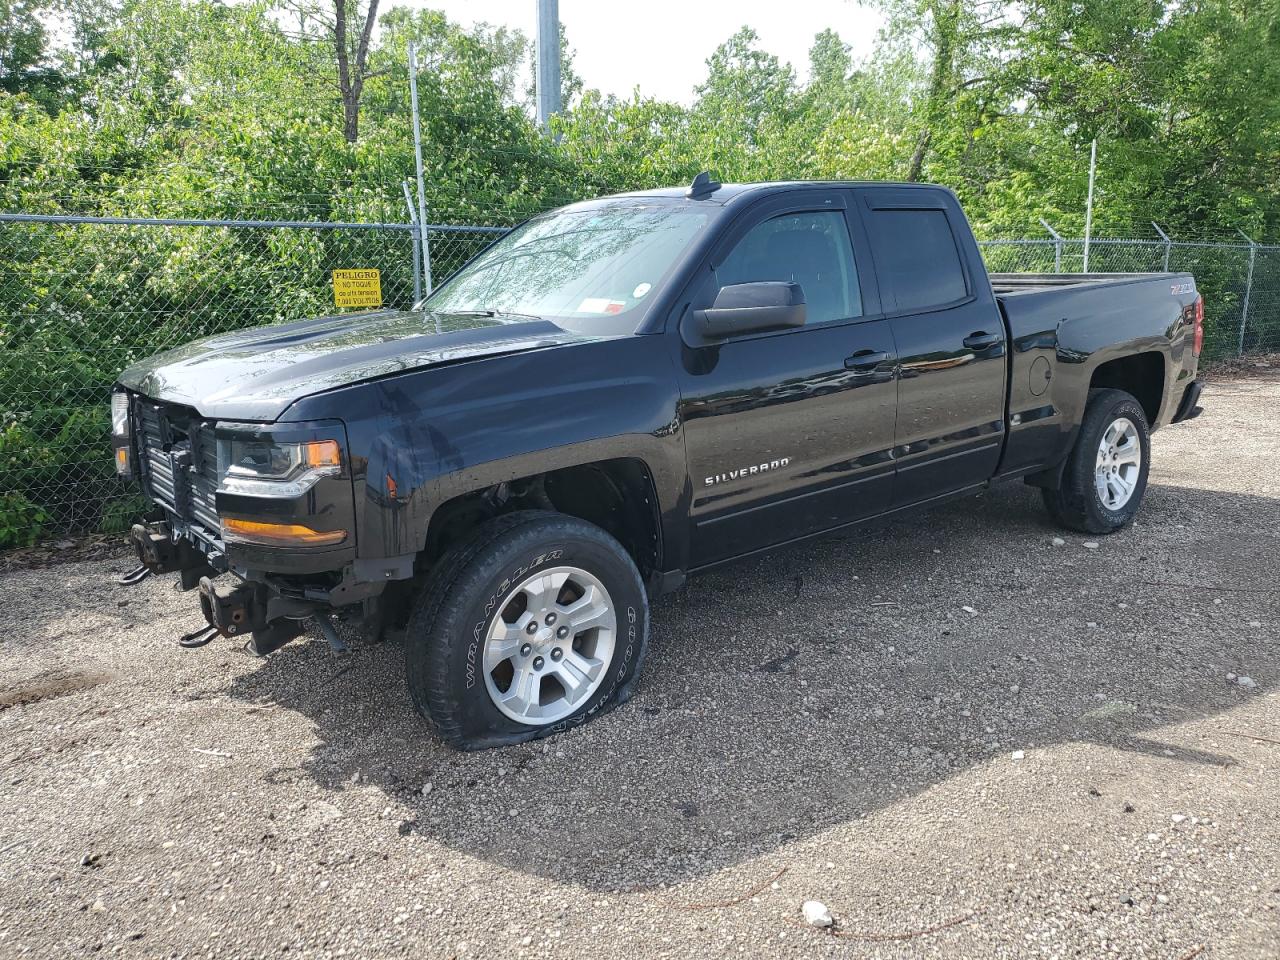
x: 950, y: 341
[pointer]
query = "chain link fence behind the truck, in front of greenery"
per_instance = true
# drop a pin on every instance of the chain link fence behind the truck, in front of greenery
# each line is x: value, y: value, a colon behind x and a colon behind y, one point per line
x: 84, y: 298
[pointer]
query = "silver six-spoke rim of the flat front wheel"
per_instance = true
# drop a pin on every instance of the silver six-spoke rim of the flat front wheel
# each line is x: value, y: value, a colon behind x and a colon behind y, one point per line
x: 550, y: 646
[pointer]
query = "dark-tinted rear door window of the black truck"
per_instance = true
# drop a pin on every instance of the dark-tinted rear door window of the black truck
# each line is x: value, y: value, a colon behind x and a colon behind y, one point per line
x: 918, y: 258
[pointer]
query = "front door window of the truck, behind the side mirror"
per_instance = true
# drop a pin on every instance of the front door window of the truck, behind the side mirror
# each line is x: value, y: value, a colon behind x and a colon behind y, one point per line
x: 812, y: 250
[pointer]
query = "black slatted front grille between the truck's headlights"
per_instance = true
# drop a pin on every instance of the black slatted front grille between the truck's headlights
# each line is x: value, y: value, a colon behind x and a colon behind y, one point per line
x: 179, y: 460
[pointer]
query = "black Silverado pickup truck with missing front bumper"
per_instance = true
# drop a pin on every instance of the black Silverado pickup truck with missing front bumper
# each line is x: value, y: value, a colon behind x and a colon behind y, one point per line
x: 618, y: 395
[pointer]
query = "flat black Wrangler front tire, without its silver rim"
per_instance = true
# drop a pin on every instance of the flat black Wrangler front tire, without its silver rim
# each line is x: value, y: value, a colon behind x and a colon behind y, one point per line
x: 447, y: 628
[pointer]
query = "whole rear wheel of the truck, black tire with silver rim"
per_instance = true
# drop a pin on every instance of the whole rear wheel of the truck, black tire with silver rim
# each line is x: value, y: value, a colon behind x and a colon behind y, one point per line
x: 1105, y: 477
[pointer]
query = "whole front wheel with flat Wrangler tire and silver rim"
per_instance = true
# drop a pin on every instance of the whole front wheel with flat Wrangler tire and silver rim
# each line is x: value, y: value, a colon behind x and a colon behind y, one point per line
x: 538, y: 623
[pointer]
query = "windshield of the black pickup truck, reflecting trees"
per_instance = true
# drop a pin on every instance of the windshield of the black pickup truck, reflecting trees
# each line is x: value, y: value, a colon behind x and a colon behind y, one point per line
x: 587, y: 269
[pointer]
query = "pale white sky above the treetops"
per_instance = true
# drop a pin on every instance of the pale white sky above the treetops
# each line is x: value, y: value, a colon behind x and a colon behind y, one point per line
x: 662, y: 45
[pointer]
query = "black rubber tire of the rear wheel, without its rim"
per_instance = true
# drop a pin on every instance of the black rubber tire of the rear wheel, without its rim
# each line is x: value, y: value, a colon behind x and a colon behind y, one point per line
x: 1077, y: 504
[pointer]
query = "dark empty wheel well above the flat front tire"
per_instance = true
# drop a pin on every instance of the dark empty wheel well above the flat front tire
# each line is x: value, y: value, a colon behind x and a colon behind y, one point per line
x: 616, y: 495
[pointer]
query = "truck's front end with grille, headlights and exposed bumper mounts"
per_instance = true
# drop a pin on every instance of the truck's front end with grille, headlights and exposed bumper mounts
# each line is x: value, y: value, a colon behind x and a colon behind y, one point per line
x: 259, y: 518
